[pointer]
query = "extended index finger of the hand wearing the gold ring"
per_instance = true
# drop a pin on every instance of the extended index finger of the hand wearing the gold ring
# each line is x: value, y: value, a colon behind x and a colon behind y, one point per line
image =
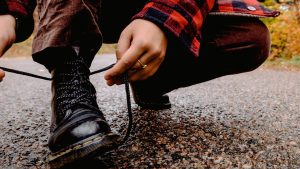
x: 127, y: 61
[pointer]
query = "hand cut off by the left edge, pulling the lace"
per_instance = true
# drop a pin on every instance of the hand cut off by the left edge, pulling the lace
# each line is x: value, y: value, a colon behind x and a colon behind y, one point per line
x: 7, y: 35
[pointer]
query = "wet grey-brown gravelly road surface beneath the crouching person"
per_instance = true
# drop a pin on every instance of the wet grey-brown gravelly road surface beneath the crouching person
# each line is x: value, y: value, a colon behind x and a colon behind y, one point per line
x: 250, y: 120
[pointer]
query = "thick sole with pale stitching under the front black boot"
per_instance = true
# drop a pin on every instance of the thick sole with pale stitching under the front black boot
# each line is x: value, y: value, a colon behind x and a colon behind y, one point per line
x: 87, y: 148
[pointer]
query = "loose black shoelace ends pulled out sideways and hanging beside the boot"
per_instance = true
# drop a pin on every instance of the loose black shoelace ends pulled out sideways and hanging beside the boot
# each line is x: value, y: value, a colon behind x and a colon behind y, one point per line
x: 125, y: 79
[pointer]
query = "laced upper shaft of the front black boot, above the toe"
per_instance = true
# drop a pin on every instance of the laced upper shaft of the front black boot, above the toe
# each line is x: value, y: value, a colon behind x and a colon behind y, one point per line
x: 71, y: 89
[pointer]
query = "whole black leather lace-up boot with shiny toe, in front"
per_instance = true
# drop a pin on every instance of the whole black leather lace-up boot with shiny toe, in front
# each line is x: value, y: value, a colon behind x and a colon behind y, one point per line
x: 78, y: 128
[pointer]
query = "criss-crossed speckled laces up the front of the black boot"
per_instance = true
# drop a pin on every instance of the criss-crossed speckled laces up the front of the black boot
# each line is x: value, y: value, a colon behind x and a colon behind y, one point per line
x: 73, y: 87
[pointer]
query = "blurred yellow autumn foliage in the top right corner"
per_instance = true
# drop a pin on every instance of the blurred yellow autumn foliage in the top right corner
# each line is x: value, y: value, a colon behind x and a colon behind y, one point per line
x: 285, y: 30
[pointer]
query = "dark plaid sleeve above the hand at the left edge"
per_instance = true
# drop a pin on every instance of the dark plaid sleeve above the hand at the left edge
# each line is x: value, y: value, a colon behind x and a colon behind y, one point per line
x: 21, y: 9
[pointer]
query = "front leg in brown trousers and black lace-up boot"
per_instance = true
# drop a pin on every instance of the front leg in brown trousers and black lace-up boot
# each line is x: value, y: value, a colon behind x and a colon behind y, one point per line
x: 66, y: 41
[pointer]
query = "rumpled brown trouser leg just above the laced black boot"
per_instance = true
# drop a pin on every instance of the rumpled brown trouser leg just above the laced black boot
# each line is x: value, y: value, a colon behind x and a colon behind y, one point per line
x: 64, y: 26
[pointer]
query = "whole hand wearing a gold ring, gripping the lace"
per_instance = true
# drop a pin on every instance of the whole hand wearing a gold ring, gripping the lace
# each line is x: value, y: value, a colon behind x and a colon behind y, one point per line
x: 141, y: 43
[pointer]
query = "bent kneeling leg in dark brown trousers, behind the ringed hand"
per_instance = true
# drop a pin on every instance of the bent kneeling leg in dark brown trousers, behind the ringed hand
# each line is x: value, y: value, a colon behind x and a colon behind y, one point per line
x: 230, y: 45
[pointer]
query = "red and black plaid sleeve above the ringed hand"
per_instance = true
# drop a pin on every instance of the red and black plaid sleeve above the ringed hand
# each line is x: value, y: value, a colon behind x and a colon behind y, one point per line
x: 183, y: 18
